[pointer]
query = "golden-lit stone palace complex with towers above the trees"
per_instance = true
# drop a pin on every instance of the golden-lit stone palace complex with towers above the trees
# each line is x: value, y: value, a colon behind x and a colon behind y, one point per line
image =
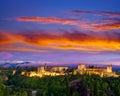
x: 82, y: 69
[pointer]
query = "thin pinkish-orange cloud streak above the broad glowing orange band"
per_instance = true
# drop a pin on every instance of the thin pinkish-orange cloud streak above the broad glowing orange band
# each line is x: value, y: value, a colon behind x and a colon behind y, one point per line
x: 104, y: 25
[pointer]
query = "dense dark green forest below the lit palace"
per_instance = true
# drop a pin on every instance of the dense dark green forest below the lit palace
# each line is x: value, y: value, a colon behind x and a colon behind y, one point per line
x: 68, y: 85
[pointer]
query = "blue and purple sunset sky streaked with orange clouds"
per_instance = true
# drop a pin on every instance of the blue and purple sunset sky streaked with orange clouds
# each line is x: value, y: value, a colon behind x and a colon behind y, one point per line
x: 60, y: 31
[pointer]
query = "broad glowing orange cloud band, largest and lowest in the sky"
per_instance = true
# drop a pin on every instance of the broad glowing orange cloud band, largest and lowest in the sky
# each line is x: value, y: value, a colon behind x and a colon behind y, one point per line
x: 73, y: 40
